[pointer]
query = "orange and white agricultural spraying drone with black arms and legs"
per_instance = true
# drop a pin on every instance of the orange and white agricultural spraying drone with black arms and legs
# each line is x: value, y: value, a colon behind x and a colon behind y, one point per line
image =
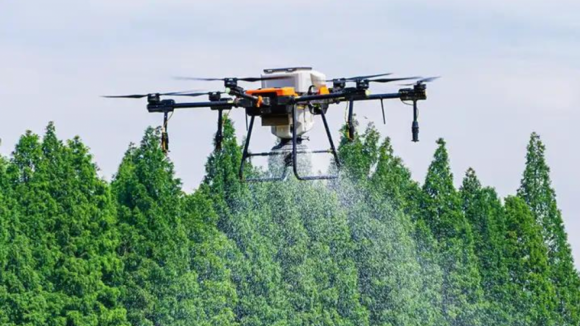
x: 288, y: 102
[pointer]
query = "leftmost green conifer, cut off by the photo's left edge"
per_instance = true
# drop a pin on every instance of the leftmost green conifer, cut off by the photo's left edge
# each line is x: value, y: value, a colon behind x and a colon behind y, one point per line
x: 22, y: 297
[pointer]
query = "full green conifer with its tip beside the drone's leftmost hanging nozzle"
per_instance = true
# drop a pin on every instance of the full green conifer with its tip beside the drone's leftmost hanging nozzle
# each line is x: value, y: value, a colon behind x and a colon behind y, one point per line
x: 159, y: 287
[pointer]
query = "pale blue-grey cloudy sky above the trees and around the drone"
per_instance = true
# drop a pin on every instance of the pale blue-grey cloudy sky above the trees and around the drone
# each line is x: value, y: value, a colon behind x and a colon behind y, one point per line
x: 509, y: 68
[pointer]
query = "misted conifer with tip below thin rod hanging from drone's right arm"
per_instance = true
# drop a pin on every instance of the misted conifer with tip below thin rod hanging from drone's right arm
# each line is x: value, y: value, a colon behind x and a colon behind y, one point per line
x: 394, y: 187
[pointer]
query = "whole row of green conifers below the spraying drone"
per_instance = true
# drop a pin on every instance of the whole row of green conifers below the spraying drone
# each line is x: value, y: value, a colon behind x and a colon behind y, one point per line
x: 372, y: 248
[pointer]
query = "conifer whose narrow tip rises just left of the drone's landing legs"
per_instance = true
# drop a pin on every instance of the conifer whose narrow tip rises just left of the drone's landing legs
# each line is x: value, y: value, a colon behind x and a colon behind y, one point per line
x: 243, y: 218
